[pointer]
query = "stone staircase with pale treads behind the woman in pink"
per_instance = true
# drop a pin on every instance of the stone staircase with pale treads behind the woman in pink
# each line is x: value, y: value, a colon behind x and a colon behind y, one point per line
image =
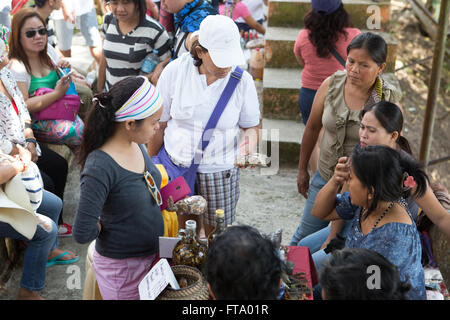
x: 282, y: 74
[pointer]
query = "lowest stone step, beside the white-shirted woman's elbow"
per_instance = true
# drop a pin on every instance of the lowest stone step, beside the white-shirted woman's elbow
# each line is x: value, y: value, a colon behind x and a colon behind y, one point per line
x: 282, y: 139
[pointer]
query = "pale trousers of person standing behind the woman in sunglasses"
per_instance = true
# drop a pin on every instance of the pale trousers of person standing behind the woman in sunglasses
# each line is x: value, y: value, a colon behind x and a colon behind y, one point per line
x: 88, y: 27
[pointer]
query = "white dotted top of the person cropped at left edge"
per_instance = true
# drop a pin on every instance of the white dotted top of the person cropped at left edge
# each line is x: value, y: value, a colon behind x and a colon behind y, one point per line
x: 12, y: 125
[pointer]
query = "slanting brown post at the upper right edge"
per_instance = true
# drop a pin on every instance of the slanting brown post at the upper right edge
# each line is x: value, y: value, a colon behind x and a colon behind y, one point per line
x: 430, y: 111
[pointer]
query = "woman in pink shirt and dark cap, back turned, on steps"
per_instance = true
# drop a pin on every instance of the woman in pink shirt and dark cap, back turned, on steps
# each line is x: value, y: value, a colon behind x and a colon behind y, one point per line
x: 327, y: 25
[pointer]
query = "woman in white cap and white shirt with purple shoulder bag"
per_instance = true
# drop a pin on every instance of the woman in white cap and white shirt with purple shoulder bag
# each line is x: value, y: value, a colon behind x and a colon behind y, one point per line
x: 191, y: 87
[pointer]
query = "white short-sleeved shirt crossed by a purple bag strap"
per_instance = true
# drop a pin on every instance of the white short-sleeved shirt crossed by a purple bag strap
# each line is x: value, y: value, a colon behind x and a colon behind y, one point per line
x: 188, y: 104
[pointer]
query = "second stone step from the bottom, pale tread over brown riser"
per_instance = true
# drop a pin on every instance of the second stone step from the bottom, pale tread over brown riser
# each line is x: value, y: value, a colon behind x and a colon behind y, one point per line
x: 280, y: 92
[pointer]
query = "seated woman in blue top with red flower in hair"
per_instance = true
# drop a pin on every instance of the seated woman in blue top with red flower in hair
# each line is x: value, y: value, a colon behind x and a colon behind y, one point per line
x: 378, y: 181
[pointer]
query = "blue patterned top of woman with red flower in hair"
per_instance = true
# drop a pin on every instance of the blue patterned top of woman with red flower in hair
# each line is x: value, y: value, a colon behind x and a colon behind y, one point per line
x: 397, y: 242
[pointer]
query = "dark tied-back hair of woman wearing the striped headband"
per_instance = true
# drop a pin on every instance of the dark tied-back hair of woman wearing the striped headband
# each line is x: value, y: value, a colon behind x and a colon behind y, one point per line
x: 100, y: 120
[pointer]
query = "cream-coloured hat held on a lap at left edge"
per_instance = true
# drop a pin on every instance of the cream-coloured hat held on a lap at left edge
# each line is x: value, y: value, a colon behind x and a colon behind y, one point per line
x: 15, y: 208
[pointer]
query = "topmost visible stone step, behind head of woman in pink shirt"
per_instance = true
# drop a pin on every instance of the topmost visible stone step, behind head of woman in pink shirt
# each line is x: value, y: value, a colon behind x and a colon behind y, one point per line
x: 364, y: 14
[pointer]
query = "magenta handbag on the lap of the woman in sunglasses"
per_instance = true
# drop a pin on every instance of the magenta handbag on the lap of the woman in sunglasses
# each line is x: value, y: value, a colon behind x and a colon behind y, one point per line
x: 65, y: 108
